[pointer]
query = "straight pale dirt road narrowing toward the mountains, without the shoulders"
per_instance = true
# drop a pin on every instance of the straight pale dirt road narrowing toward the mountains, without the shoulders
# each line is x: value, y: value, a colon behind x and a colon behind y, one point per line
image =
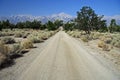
x: 64, y: 58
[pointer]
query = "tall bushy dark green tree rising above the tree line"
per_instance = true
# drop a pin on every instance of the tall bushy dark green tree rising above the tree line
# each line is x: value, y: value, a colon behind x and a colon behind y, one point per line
x: 88, y: 20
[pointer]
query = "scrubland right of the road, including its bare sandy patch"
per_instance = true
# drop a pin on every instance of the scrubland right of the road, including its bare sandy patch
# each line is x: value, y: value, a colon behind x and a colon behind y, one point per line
x: 106, y: 43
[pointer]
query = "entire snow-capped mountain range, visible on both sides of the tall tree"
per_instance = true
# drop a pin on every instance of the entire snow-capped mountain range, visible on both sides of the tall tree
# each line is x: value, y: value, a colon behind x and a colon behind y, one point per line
x: 61, y: 16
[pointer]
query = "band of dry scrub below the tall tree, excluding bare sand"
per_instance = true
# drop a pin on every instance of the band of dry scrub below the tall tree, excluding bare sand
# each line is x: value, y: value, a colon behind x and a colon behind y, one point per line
x: 104, y: 38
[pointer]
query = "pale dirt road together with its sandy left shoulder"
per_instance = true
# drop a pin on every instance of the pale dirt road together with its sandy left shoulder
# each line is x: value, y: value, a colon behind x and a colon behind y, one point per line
x: 62, y: 58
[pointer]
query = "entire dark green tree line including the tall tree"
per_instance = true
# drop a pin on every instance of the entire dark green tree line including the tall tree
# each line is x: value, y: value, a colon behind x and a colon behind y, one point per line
x: 86, y: 20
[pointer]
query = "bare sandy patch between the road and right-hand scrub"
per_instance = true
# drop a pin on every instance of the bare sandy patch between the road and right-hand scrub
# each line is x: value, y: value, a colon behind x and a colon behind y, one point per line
x: 113, y: 55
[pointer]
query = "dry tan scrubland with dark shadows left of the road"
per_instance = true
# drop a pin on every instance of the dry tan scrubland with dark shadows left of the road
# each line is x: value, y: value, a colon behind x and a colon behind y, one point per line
x: 13, y: 43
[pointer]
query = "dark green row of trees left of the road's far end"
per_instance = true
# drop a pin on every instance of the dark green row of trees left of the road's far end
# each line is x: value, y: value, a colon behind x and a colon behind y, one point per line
x: 31, y: 25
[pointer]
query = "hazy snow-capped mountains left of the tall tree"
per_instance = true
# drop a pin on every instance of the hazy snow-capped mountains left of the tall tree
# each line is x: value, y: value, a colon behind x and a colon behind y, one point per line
x: 22, y: 18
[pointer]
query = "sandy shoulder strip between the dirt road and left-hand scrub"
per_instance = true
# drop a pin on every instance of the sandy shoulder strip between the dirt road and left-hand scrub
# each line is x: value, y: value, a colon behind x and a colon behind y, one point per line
x: 22, y: 63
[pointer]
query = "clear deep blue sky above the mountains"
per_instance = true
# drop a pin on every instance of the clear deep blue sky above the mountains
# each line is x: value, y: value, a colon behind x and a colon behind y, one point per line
x: 48, y: 7
